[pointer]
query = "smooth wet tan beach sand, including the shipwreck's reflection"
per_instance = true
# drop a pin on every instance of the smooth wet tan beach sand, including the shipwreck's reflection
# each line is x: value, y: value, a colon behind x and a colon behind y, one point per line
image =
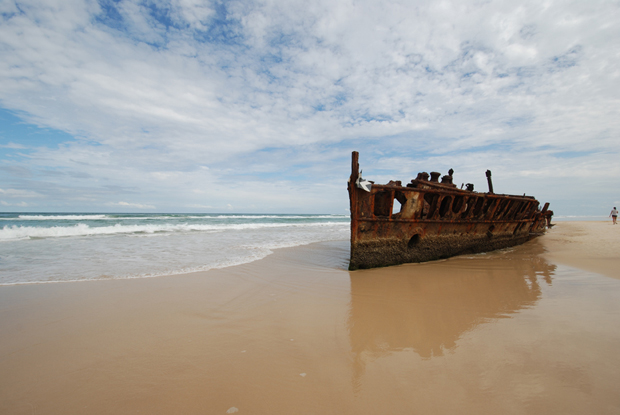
x: 516, y: 331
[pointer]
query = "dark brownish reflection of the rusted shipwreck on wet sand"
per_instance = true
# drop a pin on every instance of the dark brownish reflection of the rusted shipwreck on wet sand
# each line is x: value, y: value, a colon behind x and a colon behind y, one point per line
x: 426, y: 308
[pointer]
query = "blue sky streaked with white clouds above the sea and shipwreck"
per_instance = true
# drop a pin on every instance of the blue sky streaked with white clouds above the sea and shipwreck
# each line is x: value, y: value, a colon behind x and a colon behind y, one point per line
x: 255, y: 106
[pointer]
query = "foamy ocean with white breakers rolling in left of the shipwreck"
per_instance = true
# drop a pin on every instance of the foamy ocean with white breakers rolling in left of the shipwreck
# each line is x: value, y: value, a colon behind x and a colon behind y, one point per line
x: 63, y: 247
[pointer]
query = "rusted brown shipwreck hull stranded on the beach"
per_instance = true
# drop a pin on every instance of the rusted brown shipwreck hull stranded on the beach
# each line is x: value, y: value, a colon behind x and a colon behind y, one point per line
x: 435, y: 220
